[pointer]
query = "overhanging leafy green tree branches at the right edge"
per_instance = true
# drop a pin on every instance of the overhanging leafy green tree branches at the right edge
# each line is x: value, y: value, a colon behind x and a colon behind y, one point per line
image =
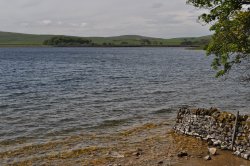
x: 230, y: 21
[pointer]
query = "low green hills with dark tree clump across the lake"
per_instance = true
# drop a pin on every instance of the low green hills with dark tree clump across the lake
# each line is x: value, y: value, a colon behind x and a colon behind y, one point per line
x: 19, y: 39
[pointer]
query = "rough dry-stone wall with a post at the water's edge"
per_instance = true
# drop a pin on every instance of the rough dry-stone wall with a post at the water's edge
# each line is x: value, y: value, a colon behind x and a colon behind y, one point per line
x: 217, y: 128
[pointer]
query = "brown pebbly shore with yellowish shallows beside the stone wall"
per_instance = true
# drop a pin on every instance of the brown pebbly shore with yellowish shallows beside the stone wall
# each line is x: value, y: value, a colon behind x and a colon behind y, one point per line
x: 147, y: 144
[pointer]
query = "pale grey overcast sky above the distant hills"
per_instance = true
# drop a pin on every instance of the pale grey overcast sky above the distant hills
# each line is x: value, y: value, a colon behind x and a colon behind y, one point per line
x: 154, y: 18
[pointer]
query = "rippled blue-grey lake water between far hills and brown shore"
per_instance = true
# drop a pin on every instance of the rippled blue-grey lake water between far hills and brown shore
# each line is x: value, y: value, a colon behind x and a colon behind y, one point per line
x: 51, y: 93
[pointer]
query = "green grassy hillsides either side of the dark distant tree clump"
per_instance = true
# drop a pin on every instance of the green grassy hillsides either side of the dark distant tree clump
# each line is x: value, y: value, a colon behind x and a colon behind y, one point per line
x: 19, y: 39
